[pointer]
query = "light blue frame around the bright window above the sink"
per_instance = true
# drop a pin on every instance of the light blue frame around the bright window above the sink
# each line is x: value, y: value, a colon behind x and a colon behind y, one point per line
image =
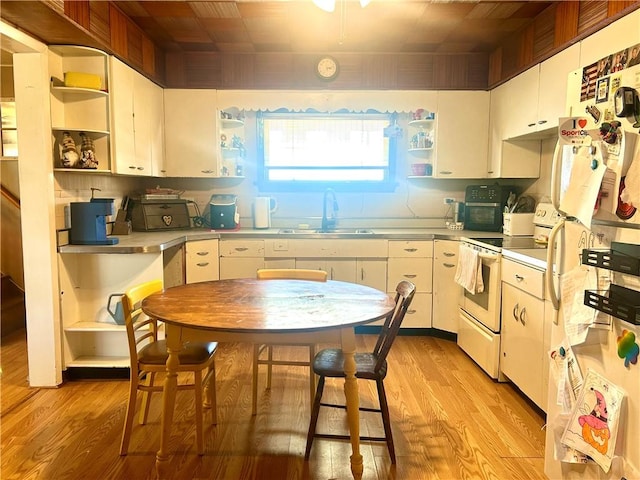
x: 264, y: 184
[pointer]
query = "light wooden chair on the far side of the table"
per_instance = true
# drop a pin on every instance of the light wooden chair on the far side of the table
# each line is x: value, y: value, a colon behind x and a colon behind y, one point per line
x: 284, y: 273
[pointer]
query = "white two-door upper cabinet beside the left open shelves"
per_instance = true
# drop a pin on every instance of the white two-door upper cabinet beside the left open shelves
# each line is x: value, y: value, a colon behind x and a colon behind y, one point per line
x: 137, y: 139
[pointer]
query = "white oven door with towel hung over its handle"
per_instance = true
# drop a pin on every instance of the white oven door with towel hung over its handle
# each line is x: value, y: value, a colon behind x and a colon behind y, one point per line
x: 485, y: 306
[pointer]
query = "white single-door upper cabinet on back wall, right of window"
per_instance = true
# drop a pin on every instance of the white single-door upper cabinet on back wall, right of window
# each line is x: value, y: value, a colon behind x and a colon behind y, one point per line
x: 462, y: 134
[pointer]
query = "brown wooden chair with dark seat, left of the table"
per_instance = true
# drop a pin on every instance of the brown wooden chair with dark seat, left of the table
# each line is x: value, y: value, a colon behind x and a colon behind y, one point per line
x: 148, y: 356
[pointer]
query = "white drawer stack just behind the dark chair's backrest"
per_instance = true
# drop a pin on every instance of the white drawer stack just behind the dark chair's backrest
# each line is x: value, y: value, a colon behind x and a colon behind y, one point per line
x: 412, y: 261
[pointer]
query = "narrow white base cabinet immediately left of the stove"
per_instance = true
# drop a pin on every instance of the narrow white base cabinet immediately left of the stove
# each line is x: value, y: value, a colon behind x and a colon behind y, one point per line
x: 446, y: 291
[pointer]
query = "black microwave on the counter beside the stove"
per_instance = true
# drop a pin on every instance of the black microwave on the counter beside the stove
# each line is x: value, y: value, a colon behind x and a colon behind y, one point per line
x: 484, y: 206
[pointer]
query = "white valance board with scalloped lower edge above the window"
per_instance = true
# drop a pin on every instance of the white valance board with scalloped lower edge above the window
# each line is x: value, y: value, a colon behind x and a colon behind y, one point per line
x: 329, y: 101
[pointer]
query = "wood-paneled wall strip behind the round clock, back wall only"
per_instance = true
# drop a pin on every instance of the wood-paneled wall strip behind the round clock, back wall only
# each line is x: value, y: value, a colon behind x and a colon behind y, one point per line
x: 297, y: 71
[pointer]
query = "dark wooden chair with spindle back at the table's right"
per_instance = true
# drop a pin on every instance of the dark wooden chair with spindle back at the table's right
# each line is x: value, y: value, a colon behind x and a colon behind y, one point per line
x: 369, y: 366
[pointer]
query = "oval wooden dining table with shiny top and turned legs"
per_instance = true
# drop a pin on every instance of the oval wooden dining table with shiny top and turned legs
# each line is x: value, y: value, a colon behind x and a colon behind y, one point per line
x: 266, y: 311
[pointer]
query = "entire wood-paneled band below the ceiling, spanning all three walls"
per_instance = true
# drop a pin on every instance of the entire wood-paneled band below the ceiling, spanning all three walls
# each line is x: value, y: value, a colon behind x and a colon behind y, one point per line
x: 102, y: 25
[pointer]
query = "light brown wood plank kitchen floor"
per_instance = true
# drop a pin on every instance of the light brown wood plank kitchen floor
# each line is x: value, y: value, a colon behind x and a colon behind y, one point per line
x: 450, y: 421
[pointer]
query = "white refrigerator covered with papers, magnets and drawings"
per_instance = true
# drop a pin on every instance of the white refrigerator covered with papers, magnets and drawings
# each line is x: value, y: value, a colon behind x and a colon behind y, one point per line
x: 586, y: 437
